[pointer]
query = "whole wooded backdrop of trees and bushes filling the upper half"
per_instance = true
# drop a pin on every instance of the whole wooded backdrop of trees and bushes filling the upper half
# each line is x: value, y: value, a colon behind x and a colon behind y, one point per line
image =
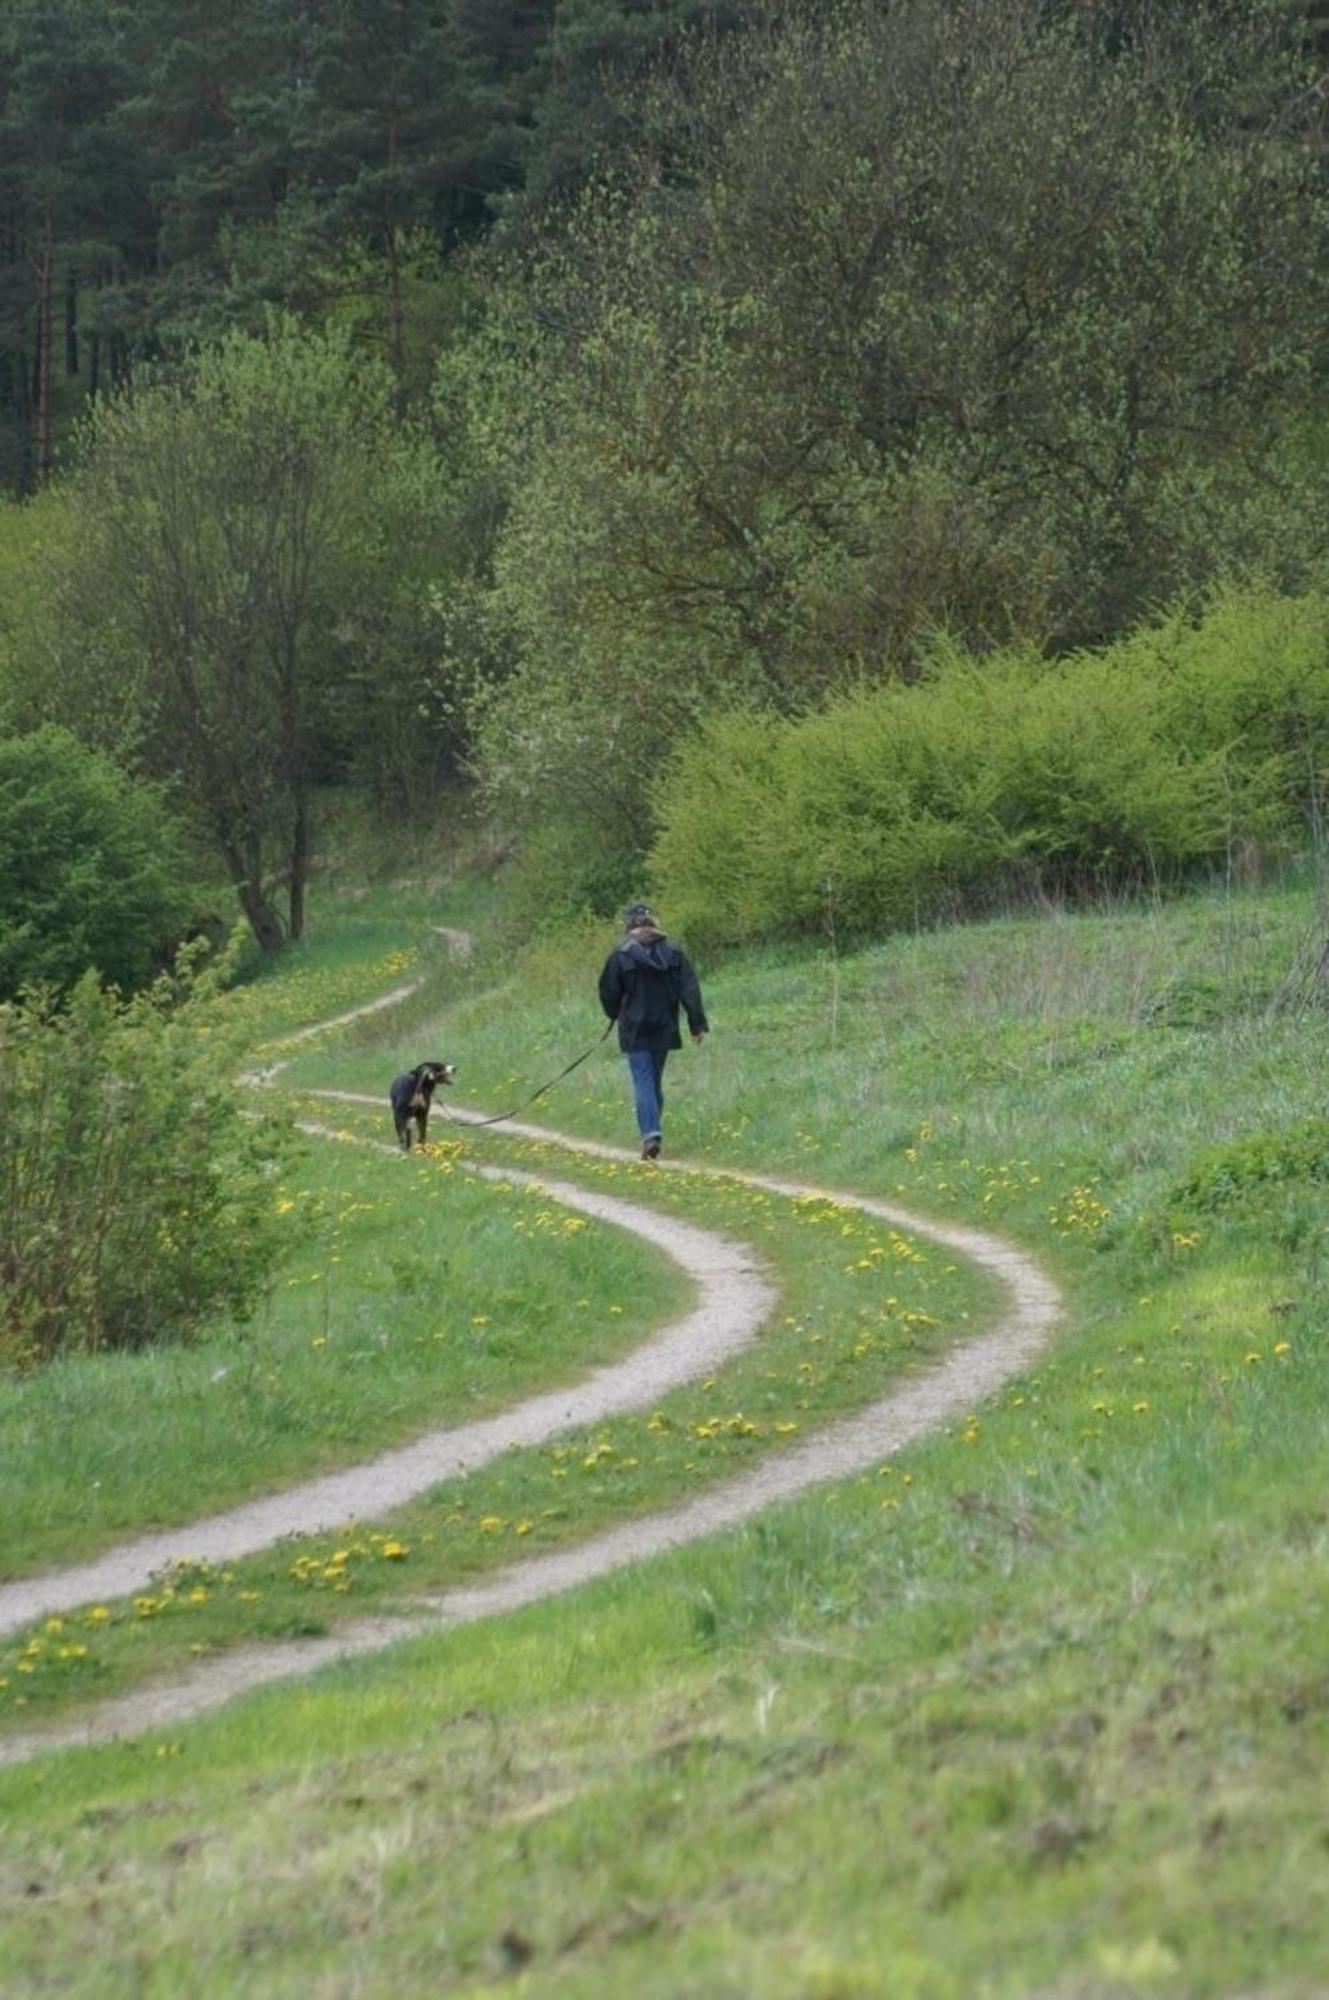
x: 449, y: 407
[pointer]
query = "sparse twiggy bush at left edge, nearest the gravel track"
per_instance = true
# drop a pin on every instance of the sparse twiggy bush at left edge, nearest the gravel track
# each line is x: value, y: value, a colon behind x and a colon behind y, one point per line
x: 135, y: 1193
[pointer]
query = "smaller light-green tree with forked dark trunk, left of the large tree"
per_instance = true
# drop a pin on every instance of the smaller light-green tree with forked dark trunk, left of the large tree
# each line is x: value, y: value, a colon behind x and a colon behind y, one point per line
x: 227, y: 525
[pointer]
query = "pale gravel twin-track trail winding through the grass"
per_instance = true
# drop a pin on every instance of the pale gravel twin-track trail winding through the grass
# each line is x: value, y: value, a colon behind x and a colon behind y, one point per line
x: 736, y: 1299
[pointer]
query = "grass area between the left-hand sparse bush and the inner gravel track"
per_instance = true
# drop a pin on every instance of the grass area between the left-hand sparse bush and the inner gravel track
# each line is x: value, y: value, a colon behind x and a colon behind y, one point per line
x: 413, y: 1297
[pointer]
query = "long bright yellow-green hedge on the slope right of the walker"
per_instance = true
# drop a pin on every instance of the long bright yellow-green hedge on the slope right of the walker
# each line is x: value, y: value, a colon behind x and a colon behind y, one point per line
x: 1106, y: 769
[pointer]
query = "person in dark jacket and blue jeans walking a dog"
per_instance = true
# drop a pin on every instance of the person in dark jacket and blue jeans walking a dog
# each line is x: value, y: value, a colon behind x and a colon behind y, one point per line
x: 643, y: 985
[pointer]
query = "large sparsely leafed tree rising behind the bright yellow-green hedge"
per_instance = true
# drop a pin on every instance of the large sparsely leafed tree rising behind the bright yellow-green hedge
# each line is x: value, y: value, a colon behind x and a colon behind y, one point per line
x: 904, y: 319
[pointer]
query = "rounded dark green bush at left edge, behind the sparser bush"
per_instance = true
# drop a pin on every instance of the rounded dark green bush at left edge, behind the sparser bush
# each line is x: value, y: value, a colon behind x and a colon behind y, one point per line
x: 91, y: 867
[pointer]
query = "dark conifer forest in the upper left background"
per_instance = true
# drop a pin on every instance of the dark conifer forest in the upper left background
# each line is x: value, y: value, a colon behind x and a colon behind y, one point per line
x: 167, y: 169
